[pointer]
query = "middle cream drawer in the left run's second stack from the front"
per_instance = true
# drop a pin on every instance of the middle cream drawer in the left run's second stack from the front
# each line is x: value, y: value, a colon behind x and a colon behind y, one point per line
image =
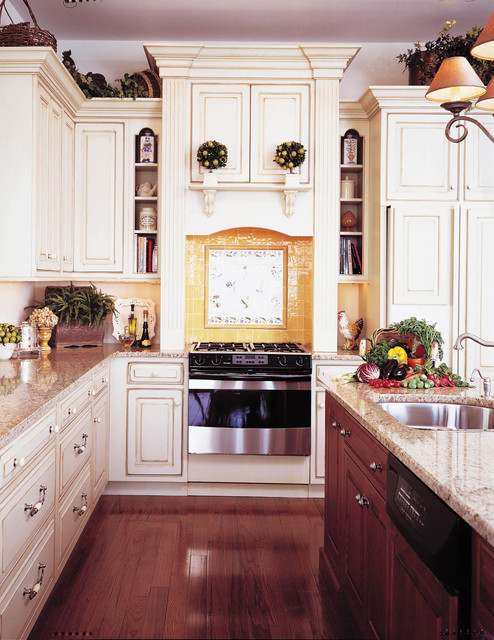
x: 75, y: 448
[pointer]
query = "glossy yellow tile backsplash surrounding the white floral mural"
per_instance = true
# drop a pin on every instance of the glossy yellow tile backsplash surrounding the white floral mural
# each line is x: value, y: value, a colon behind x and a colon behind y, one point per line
x: 299, y: 294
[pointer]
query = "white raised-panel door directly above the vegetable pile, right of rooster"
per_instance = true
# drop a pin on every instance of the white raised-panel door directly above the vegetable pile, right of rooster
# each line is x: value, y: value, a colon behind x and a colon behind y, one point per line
x: 421, y: 256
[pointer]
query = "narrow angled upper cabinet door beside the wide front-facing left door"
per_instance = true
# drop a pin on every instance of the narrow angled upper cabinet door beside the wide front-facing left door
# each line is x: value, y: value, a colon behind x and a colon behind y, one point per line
x: 67, y: 211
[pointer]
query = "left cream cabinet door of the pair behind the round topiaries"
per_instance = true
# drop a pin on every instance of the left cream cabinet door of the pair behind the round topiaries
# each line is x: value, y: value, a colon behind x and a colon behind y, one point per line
x: 221, y: 112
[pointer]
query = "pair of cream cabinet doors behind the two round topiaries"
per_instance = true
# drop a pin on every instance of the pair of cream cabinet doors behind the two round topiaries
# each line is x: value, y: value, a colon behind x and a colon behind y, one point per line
x: 251, y: 120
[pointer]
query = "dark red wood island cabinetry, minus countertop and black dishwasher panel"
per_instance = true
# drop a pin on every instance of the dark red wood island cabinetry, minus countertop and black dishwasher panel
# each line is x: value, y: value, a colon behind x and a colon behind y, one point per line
x: 391, y: 592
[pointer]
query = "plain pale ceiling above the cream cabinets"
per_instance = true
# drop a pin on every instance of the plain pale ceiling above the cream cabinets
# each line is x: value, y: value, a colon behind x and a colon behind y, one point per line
x: 352, y: 21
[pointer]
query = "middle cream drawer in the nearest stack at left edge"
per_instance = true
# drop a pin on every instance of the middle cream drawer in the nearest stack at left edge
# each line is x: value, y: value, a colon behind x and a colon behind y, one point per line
x: 26, y: 511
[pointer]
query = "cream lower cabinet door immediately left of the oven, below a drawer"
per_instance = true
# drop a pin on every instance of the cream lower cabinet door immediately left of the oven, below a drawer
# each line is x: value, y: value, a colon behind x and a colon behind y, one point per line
x: 154, y: 432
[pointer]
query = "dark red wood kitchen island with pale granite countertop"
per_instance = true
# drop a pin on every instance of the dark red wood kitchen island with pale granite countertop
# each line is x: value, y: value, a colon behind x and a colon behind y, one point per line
x: 386, y: 541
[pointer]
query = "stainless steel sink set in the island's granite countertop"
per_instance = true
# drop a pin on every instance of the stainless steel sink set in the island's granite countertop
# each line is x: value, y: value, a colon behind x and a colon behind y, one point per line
x: 439, y: 415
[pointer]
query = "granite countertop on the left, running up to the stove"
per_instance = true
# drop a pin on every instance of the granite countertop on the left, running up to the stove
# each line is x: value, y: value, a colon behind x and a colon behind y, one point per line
x: 31, y: 387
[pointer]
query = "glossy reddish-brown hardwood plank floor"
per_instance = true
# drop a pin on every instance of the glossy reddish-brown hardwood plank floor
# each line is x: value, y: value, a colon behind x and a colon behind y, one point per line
x: 197, y: 567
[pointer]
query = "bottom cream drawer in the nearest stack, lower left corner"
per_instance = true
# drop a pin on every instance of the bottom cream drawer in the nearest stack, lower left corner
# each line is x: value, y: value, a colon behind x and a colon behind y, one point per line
x: 19, y: 606
